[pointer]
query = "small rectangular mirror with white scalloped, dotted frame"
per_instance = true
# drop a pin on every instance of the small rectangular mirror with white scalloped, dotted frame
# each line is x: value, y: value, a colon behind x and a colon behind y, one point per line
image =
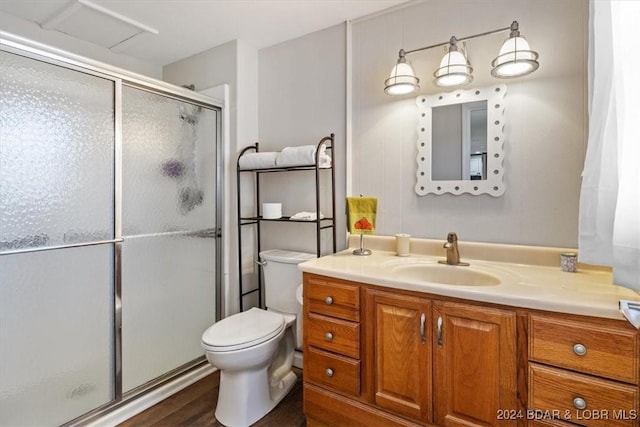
x: 460, y: 141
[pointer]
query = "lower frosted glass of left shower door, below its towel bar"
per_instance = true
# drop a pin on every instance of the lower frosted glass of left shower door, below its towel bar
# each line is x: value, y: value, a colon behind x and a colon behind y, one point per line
x: 56, y: 335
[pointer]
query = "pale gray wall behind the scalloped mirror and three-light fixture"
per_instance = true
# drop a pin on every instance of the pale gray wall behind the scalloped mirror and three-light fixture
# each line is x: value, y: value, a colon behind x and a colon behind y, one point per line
x: 546, y: 120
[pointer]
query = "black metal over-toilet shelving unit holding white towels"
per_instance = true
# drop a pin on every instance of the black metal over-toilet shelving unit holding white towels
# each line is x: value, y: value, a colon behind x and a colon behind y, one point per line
x: 256, y: 220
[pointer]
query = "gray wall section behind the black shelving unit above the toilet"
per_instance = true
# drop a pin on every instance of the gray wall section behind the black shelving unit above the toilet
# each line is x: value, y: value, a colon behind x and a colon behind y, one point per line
x: 302, y: 89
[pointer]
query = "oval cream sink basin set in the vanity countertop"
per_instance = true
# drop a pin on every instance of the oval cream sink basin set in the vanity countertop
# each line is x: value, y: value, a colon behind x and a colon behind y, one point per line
x: 445, y: 274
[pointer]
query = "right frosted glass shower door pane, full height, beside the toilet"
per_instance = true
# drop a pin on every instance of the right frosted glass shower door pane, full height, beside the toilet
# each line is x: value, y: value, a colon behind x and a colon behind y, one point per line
x: 169, y: 232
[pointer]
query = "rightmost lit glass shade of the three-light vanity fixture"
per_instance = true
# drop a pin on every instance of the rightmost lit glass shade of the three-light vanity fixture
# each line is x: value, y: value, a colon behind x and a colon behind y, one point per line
x: 515, y: 59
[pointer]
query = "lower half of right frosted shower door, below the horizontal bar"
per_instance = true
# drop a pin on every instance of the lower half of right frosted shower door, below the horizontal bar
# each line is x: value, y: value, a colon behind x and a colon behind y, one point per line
x: 168, y: 294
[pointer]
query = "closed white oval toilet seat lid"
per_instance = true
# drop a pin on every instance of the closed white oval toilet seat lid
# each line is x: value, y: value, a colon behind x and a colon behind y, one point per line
x: 243, y: 330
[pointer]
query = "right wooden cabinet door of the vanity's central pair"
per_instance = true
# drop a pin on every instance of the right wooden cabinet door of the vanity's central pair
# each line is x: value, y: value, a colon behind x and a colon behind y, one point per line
x: 474, y: 365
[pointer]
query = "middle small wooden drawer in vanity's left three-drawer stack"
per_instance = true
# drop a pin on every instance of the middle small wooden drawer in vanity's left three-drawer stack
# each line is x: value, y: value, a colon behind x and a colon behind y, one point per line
x: 338, y: 336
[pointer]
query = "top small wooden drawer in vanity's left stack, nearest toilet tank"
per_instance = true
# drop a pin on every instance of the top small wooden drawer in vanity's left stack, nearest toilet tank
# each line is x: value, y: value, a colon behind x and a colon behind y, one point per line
x: 333, y: 297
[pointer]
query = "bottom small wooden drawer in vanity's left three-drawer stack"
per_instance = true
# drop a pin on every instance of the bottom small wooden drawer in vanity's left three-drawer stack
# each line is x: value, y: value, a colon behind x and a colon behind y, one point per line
x: 331, y: 370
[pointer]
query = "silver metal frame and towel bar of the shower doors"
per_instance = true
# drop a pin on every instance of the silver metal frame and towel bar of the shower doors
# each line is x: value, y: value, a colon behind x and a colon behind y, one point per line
x: 47, y: 54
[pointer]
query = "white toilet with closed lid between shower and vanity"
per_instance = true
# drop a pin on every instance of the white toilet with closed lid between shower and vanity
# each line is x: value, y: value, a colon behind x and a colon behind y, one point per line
x: 254, y: 349
